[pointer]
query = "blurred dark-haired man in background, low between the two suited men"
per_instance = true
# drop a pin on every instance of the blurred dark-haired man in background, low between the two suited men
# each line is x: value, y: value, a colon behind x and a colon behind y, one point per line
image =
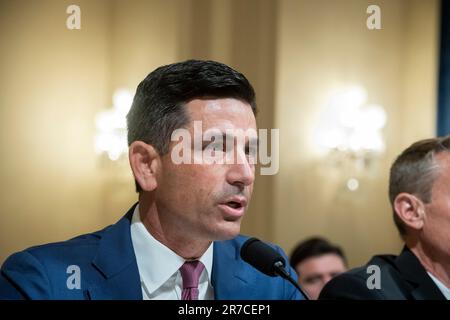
x: 316, y: 262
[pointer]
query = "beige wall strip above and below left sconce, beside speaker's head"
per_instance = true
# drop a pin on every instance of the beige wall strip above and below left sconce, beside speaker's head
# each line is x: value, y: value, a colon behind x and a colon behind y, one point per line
x: 142, y: 35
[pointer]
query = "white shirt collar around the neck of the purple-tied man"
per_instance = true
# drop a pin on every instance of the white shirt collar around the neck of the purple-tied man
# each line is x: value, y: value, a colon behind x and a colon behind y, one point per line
x: 156, y: 262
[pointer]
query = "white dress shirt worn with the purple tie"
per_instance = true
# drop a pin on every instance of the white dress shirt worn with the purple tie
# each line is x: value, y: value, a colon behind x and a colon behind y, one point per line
x: 159, y: 266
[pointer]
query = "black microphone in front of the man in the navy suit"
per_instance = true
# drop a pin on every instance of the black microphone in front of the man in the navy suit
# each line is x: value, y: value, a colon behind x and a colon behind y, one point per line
x: 267, y: 260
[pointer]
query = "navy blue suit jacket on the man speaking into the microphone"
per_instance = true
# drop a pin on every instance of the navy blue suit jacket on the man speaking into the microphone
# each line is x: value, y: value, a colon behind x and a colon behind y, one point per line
x: 108, y: 270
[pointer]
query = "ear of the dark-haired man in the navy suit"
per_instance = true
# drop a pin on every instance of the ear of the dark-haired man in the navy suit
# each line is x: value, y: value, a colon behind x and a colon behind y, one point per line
x: 144, y: 162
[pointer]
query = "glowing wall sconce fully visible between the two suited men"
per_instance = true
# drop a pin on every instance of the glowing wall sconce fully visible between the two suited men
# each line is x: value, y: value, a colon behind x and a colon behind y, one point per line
x: 350, y: 131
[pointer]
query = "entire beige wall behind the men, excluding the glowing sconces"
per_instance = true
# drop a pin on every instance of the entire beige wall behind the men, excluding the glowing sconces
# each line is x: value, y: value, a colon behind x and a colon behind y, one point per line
x: 54, y: 81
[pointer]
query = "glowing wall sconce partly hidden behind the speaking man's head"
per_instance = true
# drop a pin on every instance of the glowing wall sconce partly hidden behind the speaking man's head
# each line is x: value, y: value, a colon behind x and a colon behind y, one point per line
x: 111, y: 126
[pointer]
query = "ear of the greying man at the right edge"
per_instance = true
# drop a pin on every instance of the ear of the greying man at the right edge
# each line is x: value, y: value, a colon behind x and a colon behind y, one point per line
x: 410, y: 209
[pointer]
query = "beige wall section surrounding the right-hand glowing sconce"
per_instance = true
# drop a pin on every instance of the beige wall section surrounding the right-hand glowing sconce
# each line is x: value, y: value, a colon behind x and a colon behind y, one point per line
x: 324, y: 45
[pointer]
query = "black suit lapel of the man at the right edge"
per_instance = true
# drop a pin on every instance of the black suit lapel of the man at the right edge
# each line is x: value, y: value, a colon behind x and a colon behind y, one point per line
x: 414, y: 273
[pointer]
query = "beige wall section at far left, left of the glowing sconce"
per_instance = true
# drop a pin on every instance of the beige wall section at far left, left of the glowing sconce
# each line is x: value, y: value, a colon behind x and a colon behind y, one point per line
x: 52, y: 83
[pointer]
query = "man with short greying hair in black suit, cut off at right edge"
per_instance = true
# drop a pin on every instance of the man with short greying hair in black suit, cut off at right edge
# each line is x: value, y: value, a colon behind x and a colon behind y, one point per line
x: 419, y: 191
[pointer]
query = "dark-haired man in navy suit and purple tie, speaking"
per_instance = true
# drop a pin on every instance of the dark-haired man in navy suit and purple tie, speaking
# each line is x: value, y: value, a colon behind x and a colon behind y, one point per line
x: 181, y: 241
